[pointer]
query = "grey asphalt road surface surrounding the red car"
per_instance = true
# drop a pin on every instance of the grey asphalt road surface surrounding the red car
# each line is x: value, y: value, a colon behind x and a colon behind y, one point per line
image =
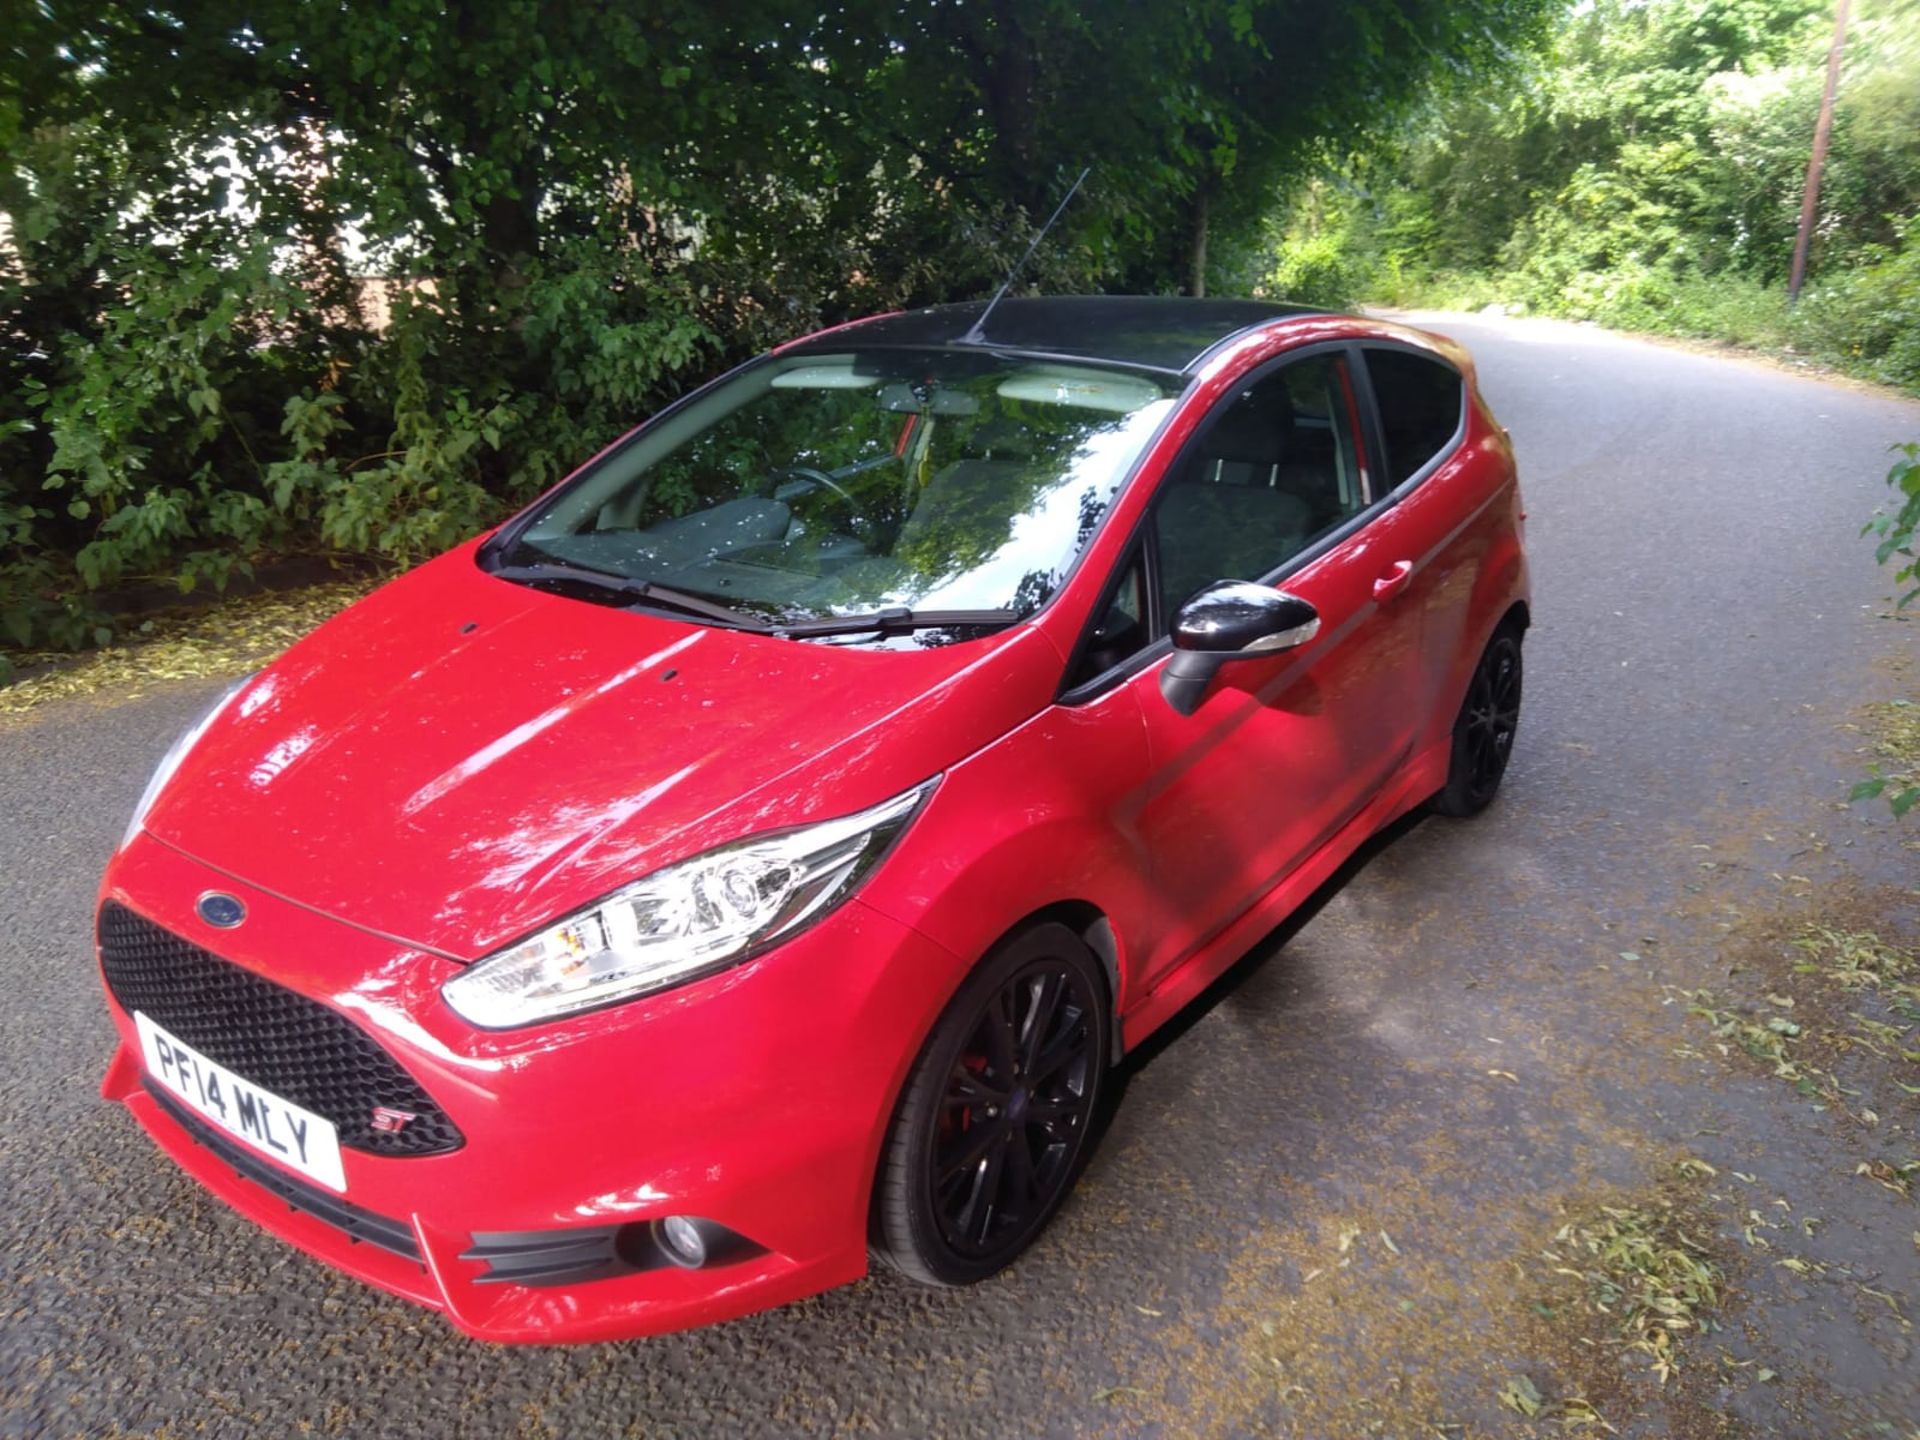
x: 1322, y: 1205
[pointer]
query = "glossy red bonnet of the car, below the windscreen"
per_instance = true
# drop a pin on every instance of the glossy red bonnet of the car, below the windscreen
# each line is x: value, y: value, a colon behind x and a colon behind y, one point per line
x: 458, y: 759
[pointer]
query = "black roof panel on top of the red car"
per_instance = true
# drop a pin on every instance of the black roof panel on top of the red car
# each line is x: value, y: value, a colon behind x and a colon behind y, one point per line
x: 1163, y: 333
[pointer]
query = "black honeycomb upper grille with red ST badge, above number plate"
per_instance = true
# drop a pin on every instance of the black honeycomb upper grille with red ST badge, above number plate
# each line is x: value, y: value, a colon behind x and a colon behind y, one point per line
x: 268, y: 1034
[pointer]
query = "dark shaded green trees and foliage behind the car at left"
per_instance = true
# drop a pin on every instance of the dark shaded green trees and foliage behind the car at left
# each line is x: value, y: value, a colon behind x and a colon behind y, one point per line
x: 287, y: 274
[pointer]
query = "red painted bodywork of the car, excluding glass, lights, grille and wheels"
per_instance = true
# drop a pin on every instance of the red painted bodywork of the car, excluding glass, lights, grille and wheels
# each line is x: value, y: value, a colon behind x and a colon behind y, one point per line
x: 460, y: 761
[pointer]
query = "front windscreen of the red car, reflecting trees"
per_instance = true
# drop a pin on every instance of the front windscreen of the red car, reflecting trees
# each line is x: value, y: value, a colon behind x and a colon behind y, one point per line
x: 819, y: 487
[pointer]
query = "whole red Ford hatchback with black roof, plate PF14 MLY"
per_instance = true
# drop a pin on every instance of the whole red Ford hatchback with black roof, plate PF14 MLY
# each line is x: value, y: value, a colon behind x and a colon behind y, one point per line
x: 757, y: 853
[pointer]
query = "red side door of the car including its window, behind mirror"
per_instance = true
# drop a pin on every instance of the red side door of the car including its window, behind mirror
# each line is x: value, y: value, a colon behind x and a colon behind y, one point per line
x: 1285, y: 748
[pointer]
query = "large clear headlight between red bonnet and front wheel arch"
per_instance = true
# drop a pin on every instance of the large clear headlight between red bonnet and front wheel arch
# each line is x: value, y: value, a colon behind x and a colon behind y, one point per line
x: 681, y: 923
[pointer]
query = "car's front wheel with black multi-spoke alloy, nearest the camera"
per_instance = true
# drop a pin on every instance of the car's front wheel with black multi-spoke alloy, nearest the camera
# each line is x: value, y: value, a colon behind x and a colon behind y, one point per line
x: 994, y: 1126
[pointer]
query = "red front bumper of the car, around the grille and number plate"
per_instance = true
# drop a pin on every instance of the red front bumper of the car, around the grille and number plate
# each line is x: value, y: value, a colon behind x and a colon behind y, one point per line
x: 756, y: 1099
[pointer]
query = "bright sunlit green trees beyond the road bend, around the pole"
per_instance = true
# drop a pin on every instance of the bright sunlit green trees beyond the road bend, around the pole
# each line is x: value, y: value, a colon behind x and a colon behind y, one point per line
x: 1643, y: 168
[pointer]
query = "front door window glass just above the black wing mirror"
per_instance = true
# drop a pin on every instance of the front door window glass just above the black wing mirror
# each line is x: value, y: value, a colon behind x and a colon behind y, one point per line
x: 1276, y: 469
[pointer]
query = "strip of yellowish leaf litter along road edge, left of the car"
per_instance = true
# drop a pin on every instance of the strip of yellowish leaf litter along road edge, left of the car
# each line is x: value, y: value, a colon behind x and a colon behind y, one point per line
x: 224, y: 640
